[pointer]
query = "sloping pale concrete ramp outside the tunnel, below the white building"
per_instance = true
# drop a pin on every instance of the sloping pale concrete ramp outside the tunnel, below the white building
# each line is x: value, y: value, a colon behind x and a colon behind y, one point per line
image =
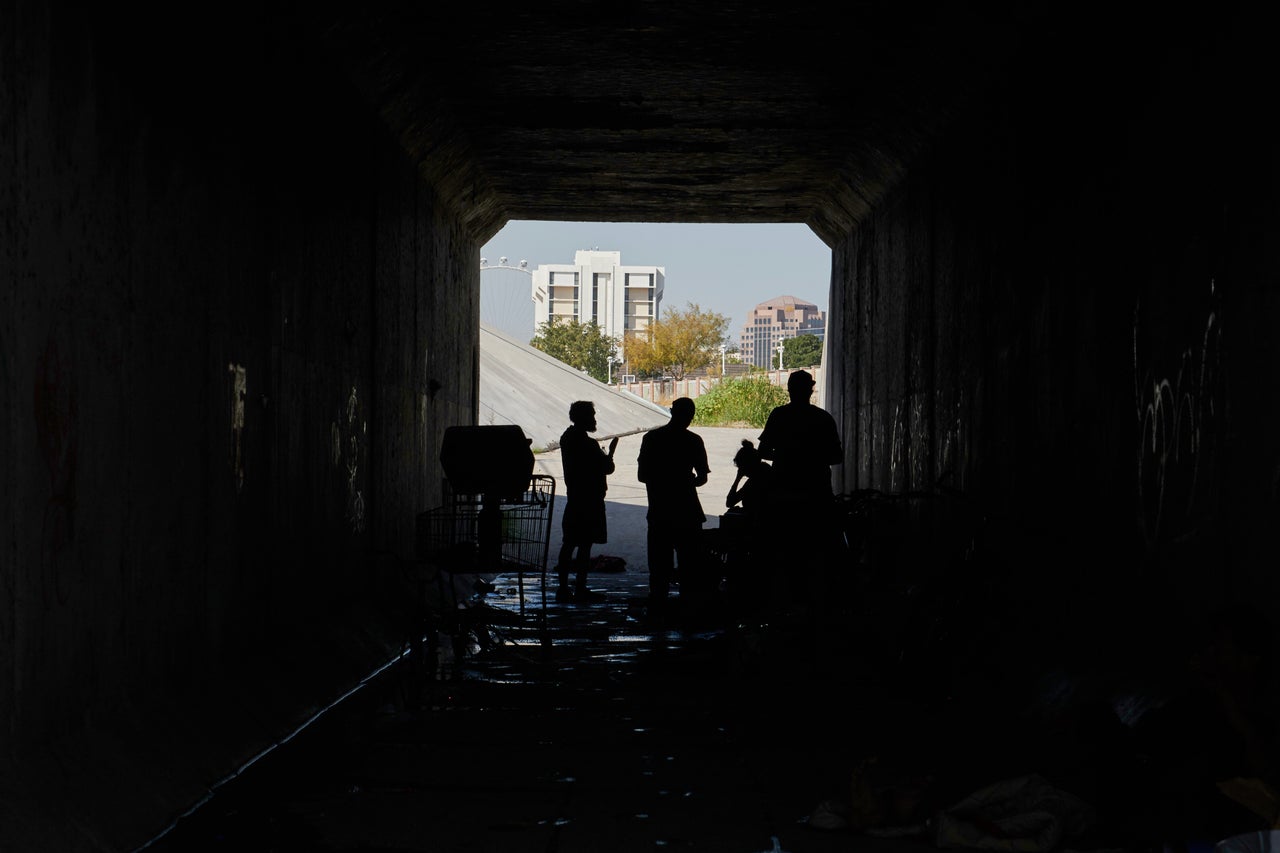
x: 523, y: 386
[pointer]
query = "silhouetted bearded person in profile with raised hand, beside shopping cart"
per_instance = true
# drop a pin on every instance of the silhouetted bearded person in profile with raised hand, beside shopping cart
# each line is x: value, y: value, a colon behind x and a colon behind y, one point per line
x: 584, y: 524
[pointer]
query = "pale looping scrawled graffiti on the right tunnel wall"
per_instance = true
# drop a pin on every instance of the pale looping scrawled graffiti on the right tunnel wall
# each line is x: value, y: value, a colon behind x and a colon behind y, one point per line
x: 1178, y: 412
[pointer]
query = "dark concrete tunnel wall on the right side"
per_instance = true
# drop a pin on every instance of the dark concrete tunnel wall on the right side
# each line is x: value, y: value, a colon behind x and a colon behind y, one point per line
x: 1068, y: 313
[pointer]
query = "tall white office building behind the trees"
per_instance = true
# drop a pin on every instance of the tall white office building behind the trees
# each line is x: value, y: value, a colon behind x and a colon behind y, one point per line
x: 598, y: 288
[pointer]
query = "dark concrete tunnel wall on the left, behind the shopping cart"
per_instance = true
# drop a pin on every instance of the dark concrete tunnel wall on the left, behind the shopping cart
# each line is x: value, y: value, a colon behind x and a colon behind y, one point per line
x: 236, y: 325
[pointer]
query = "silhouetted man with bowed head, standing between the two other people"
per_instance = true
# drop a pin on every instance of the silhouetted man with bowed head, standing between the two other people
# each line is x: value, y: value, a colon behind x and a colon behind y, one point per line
x: 673, y: 464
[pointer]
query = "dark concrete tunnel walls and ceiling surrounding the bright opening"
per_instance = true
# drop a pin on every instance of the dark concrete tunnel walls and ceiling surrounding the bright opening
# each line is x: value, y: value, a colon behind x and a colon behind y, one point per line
x: 240, y: 311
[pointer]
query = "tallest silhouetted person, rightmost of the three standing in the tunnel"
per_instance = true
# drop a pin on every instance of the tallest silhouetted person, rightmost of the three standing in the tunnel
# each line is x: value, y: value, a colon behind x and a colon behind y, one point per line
x: 803, y: 444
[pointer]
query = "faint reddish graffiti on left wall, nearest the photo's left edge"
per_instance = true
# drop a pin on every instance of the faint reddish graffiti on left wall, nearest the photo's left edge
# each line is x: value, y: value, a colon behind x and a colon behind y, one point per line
x: 54, y: 407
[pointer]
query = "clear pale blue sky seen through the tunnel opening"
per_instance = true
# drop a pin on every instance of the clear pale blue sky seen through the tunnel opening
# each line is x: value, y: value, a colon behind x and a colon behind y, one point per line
x: 721, y: 268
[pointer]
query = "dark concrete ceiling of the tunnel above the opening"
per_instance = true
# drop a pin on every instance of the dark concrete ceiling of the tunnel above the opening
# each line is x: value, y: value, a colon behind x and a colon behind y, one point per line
x: 671, y: 112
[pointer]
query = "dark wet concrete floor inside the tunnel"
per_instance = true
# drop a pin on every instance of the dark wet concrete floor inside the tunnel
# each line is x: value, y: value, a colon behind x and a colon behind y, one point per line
x: 619, y: 736
